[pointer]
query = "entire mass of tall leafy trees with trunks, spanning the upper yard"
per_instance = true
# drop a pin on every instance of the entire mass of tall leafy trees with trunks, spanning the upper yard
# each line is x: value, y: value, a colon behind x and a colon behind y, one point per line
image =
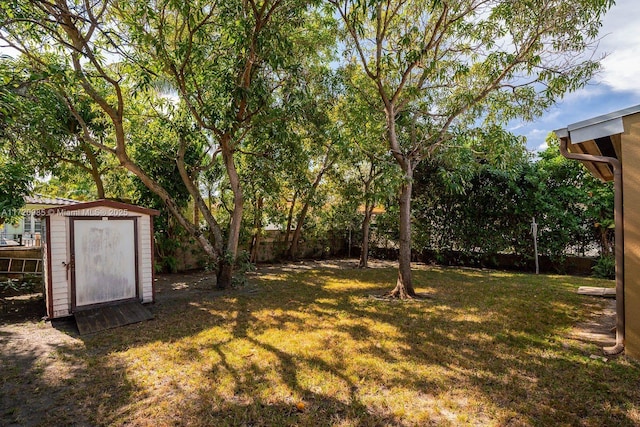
x: 273, y: 111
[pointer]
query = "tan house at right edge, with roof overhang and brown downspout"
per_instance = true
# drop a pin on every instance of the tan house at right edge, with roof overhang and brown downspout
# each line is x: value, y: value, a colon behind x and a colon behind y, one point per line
x: 609, y: 146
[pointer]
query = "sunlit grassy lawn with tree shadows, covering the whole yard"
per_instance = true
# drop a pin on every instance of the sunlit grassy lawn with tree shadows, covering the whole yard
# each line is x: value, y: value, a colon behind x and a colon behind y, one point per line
x: 308, y: 346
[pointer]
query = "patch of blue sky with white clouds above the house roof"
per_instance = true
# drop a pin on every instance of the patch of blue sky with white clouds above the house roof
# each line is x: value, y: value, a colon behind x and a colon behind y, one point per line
x: 617, y: 86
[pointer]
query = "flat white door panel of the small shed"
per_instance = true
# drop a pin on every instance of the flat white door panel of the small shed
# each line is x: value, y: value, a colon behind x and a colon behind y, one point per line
x: 104, y: 258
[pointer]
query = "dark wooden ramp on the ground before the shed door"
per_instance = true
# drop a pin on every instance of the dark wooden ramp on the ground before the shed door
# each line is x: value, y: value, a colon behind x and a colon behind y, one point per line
x: 98, y: 319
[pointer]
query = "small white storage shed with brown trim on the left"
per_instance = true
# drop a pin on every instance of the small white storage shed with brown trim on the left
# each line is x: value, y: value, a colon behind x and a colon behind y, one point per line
x: 97, y: 253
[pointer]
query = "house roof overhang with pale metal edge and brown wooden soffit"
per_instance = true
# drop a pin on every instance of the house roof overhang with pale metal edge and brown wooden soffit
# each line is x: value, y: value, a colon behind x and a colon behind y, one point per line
x: 599, y: 136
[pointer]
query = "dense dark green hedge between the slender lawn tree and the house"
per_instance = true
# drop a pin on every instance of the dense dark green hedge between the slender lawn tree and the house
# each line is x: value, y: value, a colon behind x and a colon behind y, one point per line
x: 489, y: 208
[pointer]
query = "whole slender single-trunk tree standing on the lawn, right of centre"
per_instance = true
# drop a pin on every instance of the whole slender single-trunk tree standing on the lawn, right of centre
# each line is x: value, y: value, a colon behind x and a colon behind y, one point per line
x: 437, y: 67
